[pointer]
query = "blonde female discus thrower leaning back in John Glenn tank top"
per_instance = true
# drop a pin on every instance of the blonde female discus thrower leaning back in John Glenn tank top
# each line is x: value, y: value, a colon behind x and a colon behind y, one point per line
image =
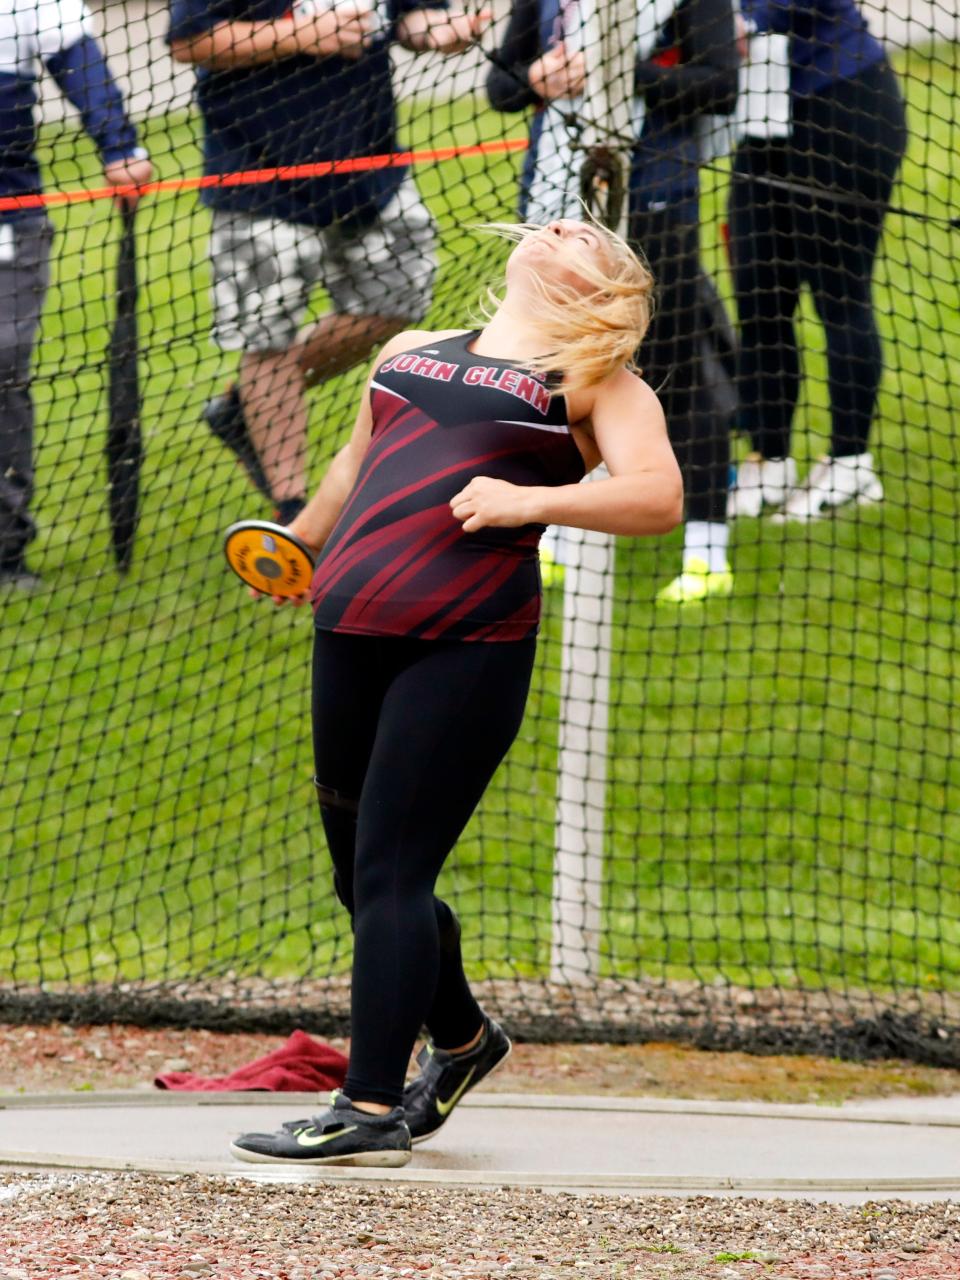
x: 427, y: 596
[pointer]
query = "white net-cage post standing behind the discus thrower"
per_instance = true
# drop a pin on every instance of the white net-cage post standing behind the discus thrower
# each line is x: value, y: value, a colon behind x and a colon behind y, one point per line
x: 588, y: 596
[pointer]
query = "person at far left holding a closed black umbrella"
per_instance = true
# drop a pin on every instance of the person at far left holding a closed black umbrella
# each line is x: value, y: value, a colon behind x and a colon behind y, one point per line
x: 60, y: 35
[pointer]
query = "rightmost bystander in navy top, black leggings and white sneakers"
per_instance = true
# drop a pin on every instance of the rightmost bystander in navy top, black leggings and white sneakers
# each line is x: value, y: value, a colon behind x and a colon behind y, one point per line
x: 848, y: 136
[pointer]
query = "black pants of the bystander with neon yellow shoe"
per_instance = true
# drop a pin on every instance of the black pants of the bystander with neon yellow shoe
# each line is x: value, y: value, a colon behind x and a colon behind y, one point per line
x: 675, y: 360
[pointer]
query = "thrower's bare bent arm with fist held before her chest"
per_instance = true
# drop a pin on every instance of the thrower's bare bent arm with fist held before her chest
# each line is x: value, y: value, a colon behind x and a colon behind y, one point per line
x: 642, y: 496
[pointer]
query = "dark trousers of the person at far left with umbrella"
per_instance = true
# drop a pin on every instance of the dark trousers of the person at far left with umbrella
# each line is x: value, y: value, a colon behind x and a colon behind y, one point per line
x: 25, y: 257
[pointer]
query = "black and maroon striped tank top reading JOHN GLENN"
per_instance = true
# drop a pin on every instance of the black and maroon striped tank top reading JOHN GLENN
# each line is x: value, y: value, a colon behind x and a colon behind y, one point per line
x: 397, y: 563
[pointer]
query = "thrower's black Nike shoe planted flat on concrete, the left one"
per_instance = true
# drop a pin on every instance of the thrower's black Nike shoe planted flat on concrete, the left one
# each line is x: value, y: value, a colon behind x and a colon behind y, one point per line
x: 340, y: 1136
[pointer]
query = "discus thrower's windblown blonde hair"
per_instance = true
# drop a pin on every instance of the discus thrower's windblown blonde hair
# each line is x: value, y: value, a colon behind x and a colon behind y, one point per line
x: 589, y: 335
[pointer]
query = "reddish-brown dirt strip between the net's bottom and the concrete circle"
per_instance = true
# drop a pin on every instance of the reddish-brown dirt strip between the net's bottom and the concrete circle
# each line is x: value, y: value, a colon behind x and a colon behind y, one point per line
x: 62, y: 1058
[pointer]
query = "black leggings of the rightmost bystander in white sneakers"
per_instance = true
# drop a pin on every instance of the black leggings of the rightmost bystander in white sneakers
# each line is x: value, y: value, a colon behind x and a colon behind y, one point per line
x: 851, y: 138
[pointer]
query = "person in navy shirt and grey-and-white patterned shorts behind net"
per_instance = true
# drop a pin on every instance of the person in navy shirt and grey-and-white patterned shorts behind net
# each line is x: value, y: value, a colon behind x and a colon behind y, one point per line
x: 278, y: 88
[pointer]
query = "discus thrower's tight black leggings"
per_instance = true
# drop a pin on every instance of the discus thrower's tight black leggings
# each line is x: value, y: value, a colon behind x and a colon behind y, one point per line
x: 408, y: 735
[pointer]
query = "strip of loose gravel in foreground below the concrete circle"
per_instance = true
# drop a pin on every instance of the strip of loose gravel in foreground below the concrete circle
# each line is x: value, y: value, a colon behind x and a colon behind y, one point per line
x: 148, y: 1228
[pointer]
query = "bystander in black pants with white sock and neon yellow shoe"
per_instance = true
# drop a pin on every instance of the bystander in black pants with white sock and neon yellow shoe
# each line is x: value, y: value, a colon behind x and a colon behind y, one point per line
x: 687, y: 74
